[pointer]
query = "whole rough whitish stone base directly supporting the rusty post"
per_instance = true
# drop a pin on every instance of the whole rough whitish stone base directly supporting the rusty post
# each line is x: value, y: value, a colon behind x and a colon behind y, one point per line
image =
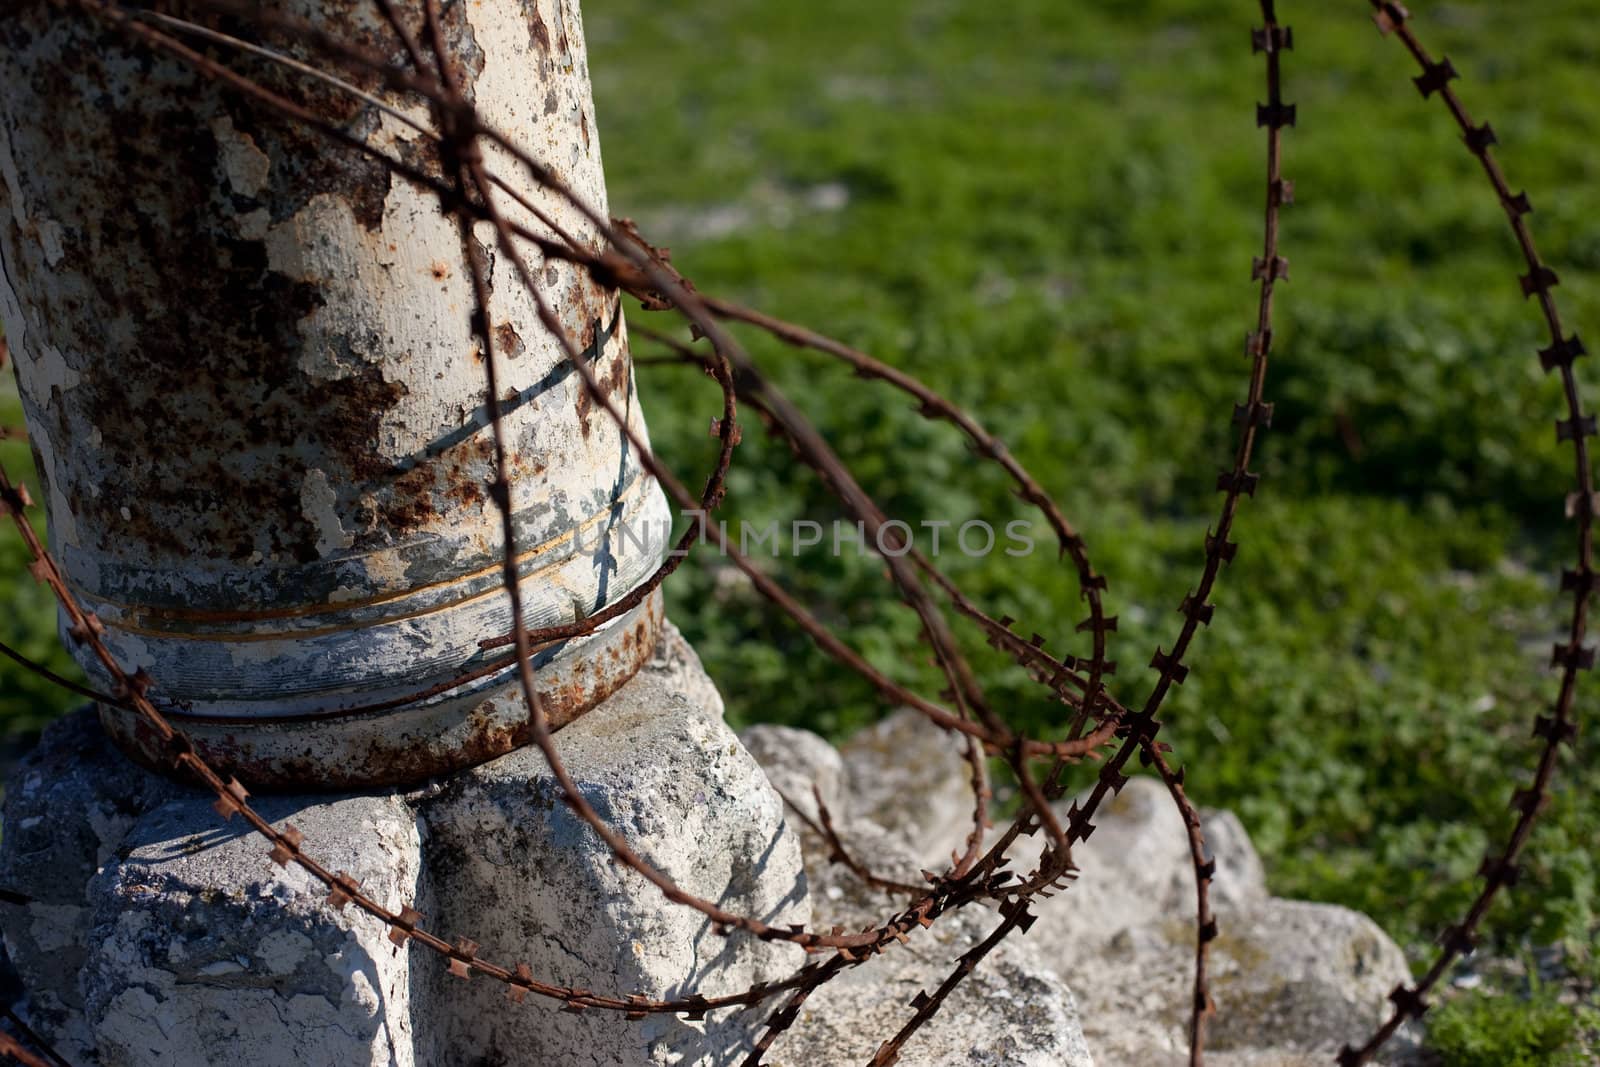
x: 159, y: 935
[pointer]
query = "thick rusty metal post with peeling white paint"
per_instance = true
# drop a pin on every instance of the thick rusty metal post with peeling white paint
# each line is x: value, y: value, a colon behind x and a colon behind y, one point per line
x: 258, y: 409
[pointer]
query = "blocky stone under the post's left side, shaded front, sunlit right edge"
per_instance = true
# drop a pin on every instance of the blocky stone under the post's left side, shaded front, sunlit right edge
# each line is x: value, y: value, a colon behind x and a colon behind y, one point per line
x: 206, y: 953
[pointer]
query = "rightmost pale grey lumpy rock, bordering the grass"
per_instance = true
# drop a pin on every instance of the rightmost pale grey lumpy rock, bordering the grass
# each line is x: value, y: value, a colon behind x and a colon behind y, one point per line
x: 1292, y: 981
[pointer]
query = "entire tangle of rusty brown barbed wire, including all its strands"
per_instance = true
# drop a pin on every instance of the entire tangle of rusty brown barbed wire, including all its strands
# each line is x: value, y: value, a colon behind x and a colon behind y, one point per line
x: 1100, y: 727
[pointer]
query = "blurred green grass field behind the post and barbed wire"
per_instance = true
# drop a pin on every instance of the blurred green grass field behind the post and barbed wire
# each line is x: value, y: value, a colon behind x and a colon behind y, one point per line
x: 1049, y: 212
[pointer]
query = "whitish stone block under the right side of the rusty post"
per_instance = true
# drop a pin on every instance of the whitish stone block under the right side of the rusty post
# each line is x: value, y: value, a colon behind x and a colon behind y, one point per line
x: 530, y: 879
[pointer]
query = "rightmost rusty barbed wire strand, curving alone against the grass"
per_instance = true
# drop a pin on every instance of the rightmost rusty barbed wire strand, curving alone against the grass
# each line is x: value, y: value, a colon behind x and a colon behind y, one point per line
x: 1500, y: 868
